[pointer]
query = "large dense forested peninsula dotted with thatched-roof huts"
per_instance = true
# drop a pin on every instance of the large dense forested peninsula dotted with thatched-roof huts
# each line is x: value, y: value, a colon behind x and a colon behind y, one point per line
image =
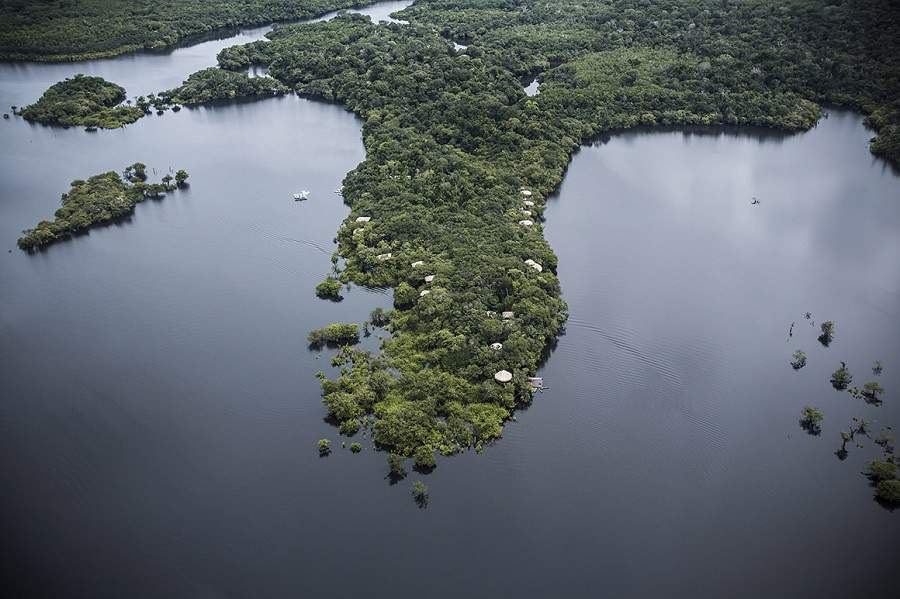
x: 446, y: 208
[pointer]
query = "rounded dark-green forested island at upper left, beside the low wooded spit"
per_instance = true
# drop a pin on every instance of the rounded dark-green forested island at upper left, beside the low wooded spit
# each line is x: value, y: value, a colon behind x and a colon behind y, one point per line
x: 83, y: 101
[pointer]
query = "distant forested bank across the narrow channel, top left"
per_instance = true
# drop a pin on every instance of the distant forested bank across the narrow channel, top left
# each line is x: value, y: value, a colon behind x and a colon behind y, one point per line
x: 63, y: 30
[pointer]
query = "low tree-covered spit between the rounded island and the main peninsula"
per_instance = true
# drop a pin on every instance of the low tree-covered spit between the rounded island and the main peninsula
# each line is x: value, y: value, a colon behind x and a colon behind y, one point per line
x: 214, y: 84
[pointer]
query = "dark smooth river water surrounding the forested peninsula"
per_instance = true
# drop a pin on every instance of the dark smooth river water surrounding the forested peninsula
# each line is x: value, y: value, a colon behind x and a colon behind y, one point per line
x: 159, y: 411
